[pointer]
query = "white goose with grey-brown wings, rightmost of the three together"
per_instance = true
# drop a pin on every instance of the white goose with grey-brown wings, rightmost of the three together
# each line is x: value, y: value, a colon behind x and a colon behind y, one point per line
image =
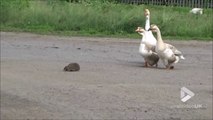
x: 164, y: 51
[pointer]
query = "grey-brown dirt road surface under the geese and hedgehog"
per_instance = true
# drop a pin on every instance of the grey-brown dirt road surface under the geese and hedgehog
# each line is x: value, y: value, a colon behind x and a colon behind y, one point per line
x: 111, y: 84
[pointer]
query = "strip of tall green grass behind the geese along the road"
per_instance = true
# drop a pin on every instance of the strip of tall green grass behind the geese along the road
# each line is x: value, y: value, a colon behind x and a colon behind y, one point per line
x: 102, y: 19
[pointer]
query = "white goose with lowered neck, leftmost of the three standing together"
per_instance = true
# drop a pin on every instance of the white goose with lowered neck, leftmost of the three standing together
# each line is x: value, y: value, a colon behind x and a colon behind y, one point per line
x: 146, y: 50
